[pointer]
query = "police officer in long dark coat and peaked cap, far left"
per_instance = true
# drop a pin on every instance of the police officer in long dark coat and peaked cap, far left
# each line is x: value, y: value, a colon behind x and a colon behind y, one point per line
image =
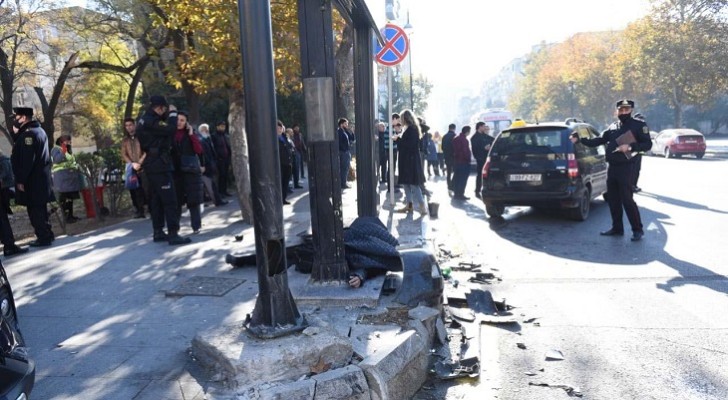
x: 32, y: 169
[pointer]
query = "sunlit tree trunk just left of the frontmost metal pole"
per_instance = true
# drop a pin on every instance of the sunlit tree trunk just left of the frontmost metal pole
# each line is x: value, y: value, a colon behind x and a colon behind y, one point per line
x: 240, y: 160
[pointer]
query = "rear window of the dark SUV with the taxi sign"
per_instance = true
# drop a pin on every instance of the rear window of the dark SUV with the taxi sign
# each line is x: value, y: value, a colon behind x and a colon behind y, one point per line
x: 542, y: 141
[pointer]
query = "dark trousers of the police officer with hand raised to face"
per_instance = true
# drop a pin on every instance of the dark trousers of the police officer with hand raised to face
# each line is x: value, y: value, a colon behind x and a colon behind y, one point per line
x: 162, y: 200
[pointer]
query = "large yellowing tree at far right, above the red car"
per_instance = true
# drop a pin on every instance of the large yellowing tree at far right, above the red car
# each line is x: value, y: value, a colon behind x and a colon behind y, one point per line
x: 679, y: 51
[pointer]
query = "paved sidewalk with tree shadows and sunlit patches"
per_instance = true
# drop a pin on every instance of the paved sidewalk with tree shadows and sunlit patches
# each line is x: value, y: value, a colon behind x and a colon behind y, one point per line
x: 102, y: 318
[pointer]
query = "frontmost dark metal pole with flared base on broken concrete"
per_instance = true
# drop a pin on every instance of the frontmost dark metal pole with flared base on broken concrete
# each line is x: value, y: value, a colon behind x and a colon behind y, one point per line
x: 275, y: 313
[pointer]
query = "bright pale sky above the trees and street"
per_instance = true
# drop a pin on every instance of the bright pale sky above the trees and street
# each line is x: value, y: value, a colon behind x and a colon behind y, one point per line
x: 458, y: 44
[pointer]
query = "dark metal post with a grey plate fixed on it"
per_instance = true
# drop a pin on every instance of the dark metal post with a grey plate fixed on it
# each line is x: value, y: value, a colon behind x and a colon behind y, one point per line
x: 317, y: 67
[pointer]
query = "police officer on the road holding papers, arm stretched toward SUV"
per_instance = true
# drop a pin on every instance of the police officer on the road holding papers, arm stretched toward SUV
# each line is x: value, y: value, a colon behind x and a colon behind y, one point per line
x: 620, y: 174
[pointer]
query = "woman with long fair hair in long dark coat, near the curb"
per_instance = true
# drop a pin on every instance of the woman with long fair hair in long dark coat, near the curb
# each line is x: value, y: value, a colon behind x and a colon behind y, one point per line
x: 411, y: 173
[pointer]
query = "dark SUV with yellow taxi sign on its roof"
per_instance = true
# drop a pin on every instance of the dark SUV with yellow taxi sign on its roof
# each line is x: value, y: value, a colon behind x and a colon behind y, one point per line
x: 537, y: 165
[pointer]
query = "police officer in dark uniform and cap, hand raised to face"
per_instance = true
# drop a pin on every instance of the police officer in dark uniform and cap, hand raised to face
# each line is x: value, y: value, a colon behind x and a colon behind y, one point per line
x: 155, y: 130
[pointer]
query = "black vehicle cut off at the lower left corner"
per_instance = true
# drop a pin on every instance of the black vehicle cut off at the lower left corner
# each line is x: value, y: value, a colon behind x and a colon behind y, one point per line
x: 17, y: 370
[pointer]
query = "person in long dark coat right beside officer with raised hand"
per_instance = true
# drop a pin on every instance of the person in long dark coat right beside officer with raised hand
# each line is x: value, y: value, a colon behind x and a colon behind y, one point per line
x: 188, y: 184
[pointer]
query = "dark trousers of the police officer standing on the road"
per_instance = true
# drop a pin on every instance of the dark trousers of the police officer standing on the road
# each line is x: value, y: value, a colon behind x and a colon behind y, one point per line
x: 619, y: 197
